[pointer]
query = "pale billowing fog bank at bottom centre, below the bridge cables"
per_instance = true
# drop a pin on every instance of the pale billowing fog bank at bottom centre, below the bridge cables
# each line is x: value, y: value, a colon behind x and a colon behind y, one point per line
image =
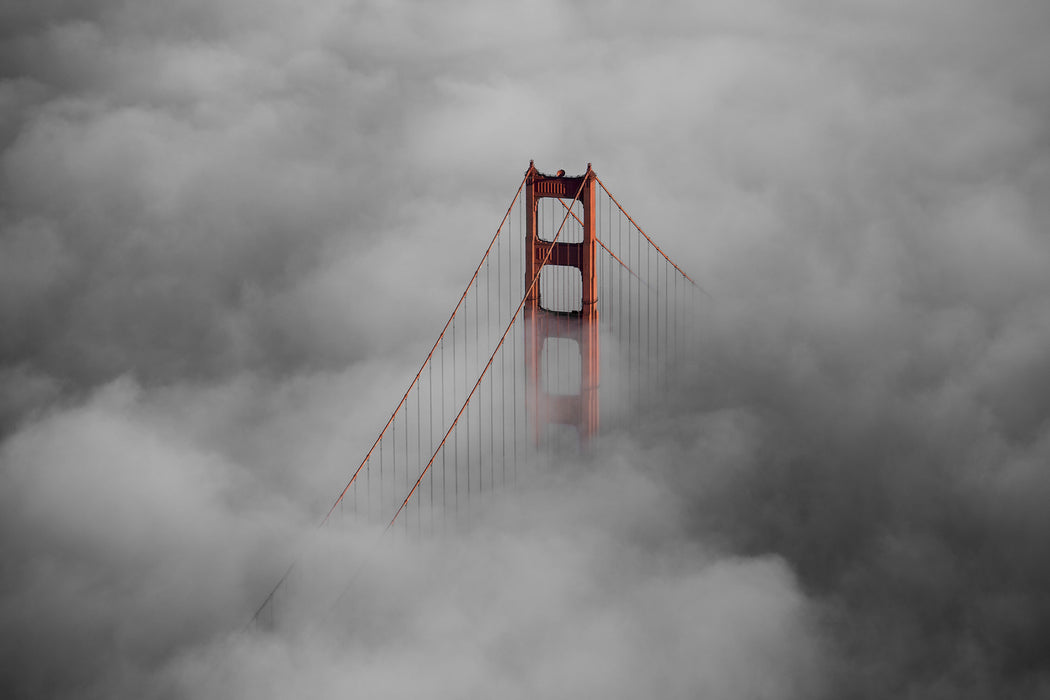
x: 545, y: 603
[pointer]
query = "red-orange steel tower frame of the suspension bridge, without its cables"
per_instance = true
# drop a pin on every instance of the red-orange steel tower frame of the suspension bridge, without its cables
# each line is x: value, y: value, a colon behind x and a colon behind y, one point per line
x: 542, y: 323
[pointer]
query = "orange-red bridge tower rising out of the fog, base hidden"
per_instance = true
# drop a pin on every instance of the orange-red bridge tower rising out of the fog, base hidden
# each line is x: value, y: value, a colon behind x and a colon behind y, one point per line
x: 561, y: 306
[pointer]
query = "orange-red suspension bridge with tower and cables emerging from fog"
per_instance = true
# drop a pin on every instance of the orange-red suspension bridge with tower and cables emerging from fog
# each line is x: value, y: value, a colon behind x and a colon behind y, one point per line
x: 574, y: 322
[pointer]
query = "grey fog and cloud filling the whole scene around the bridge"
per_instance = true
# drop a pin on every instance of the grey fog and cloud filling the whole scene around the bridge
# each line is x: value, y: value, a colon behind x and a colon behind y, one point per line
x: 229, y: 228
